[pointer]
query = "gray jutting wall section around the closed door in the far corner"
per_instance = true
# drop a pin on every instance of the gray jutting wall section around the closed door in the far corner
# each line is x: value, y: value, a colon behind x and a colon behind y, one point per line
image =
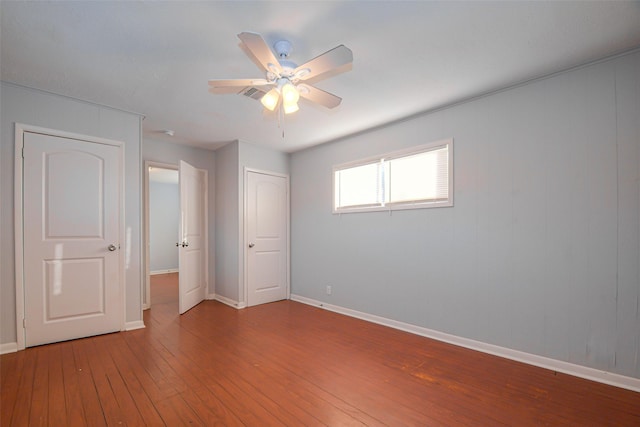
x: 231, y: 161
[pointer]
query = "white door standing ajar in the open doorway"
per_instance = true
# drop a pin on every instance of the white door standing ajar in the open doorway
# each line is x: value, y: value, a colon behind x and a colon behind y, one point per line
x: 191, y: 259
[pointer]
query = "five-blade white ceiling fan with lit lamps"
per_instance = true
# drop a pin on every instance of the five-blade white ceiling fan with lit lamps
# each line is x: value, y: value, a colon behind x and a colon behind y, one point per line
x: 284, y: 81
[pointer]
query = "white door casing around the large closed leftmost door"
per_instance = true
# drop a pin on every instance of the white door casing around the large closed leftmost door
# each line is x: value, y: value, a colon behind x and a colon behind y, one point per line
x: 20, y: 130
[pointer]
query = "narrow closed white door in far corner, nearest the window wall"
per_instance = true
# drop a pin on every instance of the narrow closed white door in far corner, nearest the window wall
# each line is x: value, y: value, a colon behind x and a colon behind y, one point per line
x: 267, y: 226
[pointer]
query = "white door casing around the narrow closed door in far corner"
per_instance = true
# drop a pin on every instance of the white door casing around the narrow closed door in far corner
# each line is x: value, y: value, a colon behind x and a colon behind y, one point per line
x: 244, y: 254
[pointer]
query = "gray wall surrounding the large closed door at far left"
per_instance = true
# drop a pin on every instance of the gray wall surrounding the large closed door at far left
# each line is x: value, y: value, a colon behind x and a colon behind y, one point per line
x: 36, y: 108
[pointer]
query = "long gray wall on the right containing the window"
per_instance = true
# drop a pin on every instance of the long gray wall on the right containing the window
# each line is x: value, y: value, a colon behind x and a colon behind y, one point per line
x: 540, y: 252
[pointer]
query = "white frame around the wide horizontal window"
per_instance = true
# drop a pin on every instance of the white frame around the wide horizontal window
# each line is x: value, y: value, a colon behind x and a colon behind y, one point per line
x: 392, y: 206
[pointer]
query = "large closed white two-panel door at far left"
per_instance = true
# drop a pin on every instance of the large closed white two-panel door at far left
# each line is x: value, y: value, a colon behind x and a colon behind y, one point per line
x: 72, y: 225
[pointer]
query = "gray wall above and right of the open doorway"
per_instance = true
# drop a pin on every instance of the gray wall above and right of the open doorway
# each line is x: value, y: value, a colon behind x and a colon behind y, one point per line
x: 171, y: 154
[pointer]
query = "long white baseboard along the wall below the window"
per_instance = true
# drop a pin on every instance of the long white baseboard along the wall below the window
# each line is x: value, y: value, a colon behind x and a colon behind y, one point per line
x: 605, y: 377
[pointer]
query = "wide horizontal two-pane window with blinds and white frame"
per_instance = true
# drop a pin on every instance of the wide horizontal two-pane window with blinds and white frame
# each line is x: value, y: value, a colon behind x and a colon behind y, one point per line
x: 421, y: 177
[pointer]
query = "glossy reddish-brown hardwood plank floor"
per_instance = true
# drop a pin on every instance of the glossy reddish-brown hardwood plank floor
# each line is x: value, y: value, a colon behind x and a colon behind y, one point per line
x: 286, y: 363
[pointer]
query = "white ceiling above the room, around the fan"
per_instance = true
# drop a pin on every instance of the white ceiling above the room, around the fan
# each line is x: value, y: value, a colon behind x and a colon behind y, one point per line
x: 155, y: 58
